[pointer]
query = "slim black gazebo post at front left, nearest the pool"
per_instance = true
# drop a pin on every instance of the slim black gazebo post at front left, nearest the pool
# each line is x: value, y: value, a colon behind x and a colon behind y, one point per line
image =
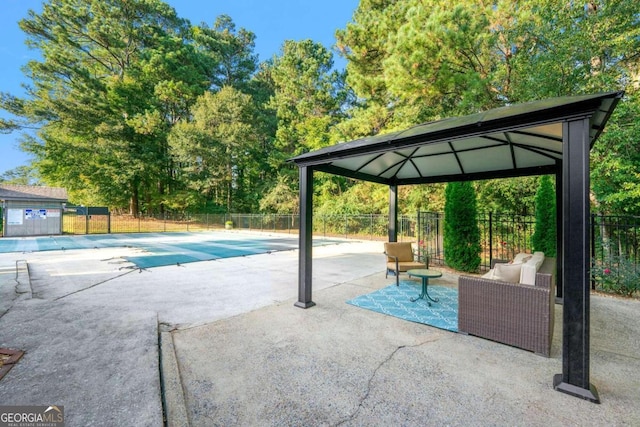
x: 305, y: 260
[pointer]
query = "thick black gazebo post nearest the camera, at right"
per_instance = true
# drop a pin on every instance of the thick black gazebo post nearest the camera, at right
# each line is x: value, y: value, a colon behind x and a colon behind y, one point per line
x: 574, y: 379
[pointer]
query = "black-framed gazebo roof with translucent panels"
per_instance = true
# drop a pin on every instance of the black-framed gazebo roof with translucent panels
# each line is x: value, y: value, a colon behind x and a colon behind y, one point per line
x: 517, y: 140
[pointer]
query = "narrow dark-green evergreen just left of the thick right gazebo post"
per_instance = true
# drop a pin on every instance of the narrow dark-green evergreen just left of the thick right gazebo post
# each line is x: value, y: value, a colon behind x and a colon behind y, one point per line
x: 544, y: 236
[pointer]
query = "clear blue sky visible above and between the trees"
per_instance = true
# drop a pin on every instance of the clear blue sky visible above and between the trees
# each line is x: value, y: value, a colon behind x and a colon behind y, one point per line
x: 272, y: 21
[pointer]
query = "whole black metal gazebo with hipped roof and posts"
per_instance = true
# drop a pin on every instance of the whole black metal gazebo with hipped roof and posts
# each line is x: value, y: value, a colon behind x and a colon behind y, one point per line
x: 552, y: 136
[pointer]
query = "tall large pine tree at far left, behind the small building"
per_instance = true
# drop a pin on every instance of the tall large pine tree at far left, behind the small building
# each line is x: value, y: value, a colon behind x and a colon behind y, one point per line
x: 114, y: 76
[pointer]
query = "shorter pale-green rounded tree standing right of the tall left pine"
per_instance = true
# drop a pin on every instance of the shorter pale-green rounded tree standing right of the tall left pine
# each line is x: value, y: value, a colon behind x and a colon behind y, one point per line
x: 215, y: 151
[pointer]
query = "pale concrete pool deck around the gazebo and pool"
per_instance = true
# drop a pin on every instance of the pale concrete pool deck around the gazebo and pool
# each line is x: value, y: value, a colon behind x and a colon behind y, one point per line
x: 220, y: 343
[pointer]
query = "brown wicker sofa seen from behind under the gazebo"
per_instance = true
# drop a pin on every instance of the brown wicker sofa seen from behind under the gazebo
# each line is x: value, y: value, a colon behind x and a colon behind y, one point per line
x: 511, y: 313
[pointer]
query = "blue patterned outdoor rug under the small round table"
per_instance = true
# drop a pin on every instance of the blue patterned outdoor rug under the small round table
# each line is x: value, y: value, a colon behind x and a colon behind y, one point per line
x: 395, y: 301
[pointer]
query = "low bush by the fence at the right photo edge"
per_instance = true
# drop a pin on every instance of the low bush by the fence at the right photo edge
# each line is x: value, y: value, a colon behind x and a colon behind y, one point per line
x: 618, y: 275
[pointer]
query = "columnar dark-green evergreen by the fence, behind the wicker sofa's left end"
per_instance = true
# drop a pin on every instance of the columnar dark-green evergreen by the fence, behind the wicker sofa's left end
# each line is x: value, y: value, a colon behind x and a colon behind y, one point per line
x: 461, y: 233
